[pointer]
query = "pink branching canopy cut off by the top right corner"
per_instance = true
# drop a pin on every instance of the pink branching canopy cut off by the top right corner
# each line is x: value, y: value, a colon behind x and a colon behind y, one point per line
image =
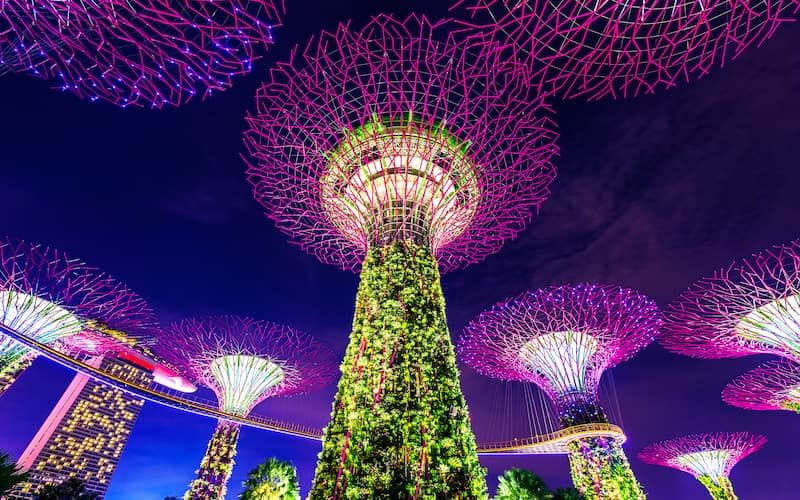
x: 595, y: 49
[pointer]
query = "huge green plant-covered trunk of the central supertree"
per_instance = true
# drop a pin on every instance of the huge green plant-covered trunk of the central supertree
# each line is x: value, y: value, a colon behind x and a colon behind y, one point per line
x: 399, y: 426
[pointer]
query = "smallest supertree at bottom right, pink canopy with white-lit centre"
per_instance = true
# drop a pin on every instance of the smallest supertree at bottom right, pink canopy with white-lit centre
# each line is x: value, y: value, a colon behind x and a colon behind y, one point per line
x: 708, y: 457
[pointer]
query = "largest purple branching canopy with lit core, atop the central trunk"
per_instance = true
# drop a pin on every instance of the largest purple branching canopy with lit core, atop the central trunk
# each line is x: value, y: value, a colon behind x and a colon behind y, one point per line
x: 395, y: 132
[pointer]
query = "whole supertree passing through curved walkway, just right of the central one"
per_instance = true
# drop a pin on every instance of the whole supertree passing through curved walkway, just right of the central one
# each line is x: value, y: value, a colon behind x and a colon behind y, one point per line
x: 562, y: 339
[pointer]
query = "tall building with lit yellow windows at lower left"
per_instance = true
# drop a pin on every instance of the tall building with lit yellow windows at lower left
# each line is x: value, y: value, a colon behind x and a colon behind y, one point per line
x: 85, y: 433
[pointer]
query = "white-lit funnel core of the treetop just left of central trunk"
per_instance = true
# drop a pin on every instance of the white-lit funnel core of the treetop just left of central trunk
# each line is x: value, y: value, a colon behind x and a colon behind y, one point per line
x: 243, y: 380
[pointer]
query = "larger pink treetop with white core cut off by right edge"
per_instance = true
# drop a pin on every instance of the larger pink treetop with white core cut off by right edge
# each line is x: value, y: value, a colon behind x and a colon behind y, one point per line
x: 748, y: 308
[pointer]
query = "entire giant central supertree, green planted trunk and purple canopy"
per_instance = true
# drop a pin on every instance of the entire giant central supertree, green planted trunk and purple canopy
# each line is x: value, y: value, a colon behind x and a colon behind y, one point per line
x: 401, y: 151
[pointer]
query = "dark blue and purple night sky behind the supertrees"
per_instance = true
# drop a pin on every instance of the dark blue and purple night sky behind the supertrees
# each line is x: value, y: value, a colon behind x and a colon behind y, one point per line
x: 653, y: 193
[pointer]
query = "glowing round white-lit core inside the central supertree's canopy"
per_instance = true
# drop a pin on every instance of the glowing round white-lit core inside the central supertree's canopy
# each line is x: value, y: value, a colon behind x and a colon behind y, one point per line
x: 385, y: 181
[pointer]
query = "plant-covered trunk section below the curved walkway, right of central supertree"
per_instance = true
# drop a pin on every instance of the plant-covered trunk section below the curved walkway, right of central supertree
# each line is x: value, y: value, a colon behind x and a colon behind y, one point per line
x: 600, y: 470
